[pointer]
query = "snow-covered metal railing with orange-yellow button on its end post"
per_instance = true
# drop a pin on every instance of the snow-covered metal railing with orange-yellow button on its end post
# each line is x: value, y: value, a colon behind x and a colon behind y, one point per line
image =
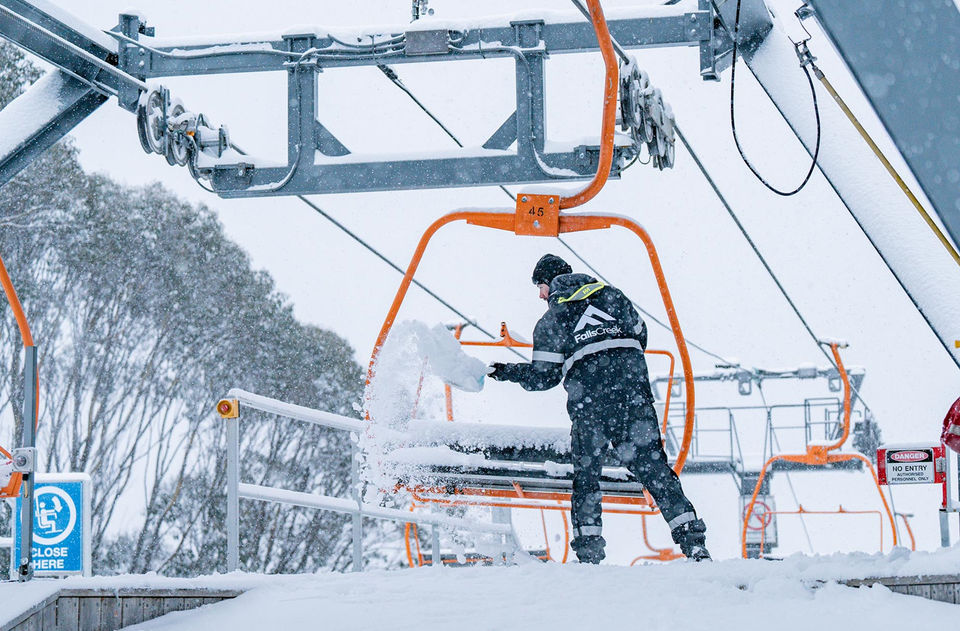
x: 229, y: 410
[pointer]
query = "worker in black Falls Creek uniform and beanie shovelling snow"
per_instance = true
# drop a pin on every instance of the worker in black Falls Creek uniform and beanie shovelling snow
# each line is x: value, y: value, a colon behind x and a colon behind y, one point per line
x: 593, y: 340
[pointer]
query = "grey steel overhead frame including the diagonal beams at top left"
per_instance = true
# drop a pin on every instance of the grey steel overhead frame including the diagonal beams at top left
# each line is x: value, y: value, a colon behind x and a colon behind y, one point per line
x: 95, y: 65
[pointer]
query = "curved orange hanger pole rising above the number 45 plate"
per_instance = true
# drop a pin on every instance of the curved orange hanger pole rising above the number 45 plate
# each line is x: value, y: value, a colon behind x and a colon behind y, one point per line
x: 608, y: 127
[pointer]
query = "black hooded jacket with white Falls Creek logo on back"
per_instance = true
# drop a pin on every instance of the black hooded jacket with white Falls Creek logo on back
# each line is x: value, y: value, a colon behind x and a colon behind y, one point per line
x: 590, y: 335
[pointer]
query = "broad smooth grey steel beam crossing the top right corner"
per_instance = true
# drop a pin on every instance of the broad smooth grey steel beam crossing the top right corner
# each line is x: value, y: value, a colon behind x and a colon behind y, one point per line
x: 906, y: 59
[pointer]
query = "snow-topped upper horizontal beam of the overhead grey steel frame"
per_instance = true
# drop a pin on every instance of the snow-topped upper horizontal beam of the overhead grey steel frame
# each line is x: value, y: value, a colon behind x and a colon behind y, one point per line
x: 645, y: 28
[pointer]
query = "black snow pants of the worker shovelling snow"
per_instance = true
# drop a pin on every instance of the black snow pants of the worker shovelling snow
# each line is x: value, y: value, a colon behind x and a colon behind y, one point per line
x: 620, y: 415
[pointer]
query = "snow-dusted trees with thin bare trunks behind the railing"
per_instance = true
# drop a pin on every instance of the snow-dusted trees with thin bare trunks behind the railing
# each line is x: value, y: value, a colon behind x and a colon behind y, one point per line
x: 145, y: 314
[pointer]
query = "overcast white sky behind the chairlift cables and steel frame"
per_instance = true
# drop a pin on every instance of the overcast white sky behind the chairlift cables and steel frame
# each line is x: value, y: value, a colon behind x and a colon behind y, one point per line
x: 724, y: 298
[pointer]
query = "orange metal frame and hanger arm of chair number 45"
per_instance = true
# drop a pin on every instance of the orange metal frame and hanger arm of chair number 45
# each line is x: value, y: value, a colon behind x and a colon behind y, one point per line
x: 540, y: 215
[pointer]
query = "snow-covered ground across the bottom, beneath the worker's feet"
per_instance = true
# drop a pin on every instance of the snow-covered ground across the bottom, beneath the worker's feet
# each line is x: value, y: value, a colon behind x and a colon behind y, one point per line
x: 798, y: 593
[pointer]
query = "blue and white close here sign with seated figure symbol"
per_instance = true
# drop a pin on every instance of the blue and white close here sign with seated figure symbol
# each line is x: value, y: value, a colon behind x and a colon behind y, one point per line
x: 61, y: 523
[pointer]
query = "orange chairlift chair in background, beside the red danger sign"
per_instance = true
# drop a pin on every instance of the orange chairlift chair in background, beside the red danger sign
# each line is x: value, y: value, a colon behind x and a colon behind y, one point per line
x: 821, y: 455
